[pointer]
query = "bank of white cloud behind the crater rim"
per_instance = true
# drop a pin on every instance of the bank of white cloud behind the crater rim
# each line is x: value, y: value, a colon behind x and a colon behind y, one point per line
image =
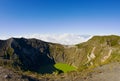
x: 67, y: 39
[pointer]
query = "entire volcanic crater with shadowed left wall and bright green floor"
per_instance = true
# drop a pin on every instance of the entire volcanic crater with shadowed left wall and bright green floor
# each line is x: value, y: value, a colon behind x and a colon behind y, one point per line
x: 35, y: 57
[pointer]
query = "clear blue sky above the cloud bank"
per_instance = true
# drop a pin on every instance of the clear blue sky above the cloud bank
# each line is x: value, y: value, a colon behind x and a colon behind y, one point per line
x: 19, y: 17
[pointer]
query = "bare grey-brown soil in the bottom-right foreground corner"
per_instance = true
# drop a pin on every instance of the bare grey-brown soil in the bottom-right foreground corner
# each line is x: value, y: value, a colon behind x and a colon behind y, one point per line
x: 109, y: 72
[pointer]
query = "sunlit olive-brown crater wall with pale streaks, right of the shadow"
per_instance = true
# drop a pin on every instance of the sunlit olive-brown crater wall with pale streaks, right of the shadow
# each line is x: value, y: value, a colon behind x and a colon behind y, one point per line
x: 96, y: 51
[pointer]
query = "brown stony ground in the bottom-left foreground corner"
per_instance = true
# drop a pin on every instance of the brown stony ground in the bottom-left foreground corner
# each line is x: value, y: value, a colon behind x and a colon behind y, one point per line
x: 9, y: 75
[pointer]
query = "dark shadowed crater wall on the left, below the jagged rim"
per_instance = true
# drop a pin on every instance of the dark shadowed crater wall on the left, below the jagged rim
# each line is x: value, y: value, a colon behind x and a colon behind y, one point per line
x: 28, y: 54
